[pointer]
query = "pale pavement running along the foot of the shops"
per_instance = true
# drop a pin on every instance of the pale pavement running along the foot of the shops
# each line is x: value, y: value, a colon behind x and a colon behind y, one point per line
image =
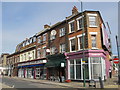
x: 110, y: 83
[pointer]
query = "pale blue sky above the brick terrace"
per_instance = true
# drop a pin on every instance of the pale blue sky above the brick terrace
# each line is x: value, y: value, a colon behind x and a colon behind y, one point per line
x: 21, y: 20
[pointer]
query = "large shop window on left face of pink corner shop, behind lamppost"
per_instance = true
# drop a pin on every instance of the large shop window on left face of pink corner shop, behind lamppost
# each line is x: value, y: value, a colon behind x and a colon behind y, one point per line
x: 76, y: 69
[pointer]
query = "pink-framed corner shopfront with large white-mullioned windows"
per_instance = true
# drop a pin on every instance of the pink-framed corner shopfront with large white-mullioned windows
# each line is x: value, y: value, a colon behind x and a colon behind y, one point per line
x: 94, y: 64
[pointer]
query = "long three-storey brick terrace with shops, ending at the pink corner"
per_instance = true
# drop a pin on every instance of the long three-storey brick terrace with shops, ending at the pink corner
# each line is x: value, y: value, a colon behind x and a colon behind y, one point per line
x: 72, y: 48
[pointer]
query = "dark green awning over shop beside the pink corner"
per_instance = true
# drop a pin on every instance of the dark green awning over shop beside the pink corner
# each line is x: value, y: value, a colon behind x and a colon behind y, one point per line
x: 55, y: 60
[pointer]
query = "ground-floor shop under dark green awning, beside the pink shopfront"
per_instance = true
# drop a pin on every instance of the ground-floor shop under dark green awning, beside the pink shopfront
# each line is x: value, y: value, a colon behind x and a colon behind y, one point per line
x: 56, y: 67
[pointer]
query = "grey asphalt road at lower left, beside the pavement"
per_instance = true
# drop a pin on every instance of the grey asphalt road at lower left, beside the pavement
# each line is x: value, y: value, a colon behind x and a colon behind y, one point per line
x: 26, y: 84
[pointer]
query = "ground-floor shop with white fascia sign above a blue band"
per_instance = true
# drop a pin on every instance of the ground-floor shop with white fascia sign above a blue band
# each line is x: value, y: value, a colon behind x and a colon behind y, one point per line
x: 33, y: 69
